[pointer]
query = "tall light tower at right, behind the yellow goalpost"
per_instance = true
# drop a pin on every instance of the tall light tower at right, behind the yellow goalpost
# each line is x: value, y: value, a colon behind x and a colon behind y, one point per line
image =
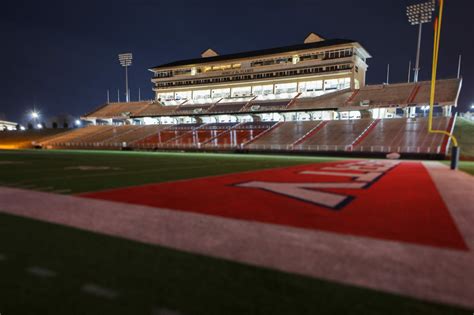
x: 418, y: 14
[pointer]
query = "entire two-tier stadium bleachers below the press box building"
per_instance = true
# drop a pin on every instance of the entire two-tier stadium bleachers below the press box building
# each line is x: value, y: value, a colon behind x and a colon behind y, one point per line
x: 406, y: 135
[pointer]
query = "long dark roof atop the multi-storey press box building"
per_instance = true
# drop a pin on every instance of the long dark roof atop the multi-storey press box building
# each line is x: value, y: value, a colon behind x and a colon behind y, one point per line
x: 256, y: 53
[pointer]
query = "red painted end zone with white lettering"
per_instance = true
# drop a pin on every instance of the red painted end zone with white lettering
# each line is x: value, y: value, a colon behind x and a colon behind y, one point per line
x: 379, y: 199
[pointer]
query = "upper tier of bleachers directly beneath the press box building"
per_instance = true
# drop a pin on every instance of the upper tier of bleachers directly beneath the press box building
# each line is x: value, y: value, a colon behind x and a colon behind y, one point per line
x: 372, y: 96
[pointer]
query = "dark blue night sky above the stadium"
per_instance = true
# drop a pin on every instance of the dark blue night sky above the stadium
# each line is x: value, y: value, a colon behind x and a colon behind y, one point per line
x: 61, y: 56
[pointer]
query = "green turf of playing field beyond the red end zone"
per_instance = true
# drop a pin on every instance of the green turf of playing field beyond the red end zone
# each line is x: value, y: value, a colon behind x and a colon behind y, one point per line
x: 47, y: 170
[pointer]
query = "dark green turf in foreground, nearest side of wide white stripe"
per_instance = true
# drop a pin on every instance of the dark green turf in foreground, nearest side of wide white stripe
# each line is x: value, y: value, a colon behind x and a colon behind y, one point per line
x: 146, y: 276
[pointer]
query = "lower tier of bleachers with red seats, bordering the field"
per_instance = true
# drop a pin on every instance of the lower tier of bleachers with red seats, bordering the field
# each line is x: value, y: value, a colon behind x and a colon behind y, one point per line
x: 405, y: 135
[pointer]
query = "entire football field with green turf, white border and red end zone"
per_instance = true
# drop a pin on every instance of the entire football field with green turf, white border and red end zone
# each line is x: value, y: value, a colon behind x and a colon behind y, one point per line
x: 90, y: 232
